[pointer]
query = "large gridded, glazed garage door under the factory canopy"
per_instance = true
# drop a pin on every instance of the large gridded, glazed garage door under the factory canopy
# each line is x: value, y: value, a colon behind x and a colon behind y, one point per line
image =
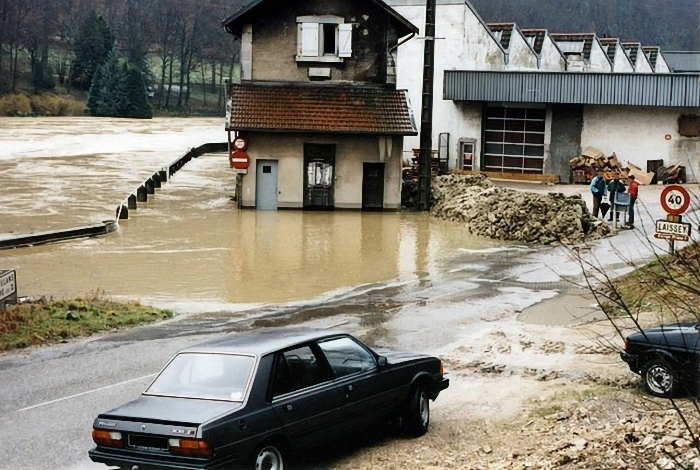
x: 514, y: 140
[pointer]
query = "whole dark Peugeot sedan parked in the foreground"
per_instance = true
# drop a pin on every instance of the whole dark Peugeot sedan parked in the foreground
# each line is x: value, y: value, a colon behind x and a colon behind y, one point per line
x: 249, y: 398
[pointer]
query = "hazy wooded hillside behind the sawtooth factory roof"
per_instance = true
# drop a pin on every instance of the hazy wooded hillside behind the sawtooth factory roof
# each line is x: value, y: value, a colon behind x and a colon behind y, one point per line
x: 671, y: 24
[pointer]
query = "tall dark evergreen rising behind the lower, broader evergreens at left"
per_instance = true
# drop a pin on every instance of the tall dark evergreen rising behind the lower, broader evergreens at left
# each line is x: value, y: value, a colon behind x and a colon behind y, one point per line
x: 92, y: 47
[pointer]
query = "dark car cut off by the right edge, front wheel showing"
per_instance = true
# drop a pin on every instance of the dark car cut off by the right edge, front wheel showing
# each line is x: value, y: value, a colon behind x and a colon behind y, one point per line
x: 666, y: 357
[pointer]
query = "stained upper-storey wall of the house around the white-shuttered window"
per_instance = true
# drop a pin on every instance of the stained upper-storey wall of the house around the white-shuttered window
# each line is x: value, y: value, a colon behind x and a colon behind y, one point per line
x: 275, y: 39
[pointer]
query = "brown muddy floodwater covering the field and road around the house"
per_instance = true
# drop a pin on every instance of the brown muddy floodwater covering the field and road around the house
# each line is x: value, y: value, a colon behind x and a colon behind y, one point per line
x: 188, y: 247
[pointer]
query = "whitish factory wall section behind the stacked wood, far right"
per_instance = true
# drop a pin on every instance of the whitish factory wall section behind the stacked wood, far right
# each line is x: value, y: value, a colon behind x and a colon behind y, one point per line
x: 639, y: 134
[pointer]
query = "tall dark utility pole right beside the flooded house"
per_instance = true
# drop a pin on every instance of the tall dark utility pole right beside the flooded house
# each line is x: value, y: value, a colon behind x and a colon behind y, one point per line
x: 426, y: 119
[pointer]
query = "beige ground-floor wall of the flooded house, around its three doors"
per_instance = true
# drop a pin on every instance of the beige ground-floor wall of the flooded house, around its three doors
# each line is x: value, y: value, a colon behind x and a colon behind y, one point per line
x: 351, y: 153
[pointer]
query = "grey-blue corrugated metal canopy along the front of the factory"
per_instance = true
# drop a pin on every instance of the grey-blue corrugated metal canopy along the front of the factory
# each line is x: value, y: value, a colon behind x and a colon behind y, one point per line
x: 574, y: 88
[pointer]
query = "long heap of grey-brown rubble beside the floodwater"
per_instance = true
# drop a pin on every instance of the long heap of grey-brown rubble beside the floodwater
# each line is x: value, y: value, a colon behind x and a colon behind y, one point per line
x: 507, y: 214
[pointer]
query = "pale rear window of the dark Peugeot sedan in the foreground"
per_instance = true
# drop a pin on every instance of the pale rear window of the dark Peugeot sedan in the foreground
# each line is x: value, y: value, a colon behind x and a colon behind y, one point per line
x: 204, y: 375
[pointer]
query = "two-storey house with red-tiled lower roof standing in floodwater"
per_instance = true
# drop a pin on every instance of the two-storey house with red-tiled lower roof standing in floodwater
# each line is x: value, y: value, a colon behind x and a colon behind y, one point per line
x: 317, y: 104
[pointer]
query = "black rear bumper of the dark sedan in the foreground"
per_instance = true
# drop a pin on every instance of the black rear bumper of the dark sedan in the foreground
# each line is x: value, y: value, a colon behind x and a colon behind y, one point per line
x: 130, y: 460
